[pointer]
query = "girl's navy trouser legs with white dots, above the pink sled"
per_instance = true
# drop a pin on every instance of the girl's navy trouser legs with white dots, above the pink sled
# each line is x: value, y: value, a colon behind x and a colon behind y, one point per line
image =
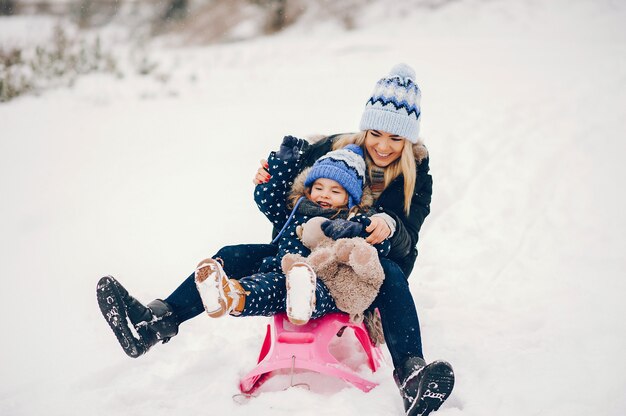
x: 268, y: 293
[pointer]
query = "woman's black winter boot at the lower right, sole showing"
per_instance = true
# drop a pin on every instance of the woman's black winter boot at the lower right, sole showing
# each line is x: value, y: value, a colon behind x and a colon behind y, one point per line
x: 424, y: 387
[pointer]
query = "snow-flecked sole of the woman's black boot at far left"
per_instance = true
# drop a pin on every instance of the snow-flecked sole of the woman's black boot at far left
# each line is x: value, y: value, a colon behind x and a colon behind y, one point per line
x: 114, y: 311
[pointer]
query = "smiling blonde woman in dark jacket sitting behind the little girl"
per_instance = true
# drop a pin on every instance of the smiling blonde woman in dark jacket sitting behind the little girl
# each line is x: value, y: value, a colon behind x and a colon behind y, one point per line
x: 397, y: 170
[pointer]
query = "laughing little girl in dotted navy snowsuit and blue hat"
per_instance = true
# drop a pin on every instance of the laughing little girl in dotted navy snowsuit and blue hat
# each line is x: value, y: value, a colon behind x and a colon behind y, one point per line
x: 331, y: 188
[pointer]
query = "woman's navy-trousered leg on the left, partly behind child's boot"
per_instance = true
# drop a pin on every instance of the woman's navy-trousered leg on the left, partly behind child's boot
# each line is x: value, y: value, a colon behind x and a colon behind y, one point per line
x: 239, y: 260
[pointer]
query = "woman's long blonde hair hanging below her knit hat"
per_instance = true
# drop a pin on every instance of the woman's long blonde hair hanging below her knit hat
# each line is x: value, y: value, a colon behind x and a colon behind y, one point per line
x: 404, y: 165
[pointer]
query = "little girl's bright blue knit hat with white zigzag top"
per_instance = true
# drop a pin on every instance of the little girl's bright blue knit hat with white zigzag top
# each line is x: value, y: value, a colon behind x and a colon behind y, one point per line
x: 346, y: 166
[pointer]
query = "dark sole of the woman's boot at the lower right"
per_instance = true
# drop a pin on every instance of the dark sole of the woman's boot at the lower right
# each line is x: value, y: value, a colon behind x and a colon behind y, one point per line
x: 435, y: 387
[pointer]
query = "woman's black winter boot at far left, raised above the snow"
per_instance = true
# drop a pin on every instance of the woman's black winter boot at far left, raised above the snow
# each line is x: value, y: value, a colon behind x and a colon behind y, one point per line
x: 137, y: 327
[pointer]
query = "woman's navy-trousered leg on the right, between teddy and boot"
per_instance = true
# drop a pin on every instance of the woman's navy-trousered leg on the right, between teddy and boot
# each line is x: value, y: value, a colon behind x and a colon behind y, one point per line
x: 398, y: 315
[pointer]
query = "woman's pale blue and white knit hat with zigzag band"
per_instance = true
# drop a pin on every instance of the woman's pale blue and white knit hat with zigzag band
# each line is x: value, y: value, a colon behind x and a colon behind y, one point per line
x: 394, y: 106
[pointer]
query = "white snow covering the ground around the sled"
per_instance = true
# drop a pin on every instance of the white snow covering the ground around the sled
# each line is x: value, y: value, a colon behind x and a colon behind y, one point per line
x: 520, y: 278
